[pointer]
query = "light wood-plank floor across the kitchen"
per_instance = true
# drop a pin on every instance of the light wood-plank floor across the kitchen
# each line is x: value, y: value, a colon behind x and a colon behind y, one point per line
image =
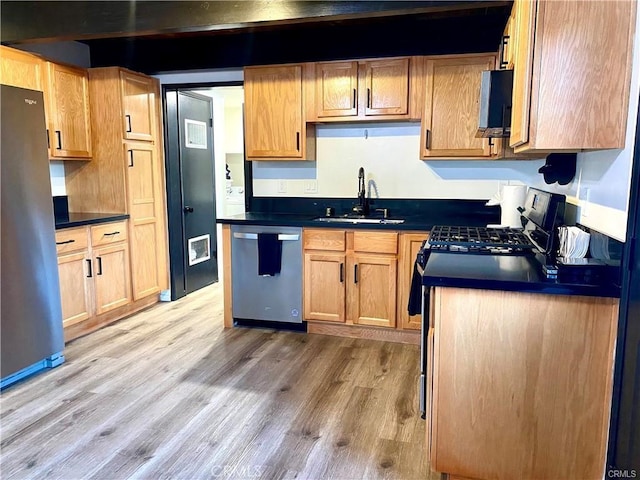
x: 168, y: 393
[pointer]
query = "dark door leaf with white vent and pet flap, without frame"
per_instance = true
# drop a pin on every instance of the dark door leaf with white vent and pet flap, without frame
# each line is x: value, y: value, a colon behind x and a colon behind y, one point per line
x: 195, y: 116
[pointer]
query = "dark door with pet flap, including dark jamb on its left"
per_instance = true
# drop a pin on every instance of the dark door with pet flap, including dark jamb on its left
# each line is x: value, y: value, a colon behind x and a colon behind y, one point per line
x: 190, y: 191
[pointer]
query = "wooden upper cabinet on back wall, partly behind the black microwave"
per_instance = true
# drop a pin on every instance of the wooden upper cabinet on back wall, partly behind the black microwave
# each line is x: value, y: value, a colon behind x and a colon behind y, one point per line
x: 450, y: 117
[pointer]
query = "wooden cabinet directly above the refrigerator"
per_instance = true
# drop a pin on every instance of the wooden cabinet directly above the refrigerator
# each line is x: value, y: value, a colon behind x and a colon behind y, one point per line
x: 21, y: 69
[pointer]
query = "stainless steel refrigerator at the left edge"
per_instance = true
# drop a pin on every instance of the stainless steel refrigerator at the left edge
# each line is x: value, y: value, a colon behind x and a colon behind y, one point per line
x: 30, y: 312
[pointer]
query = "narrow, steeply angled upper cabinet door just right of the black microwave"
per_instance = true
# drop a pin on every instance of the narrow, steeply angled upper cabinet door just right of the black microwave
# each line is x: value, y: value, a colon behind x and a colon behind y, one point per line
x: 525, y: 17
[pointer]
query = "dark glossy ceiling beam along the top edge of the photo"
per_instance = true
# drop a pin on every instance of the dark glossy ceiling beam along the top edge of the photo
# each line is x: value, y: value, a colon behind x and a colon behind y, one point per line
x: 45, y: 21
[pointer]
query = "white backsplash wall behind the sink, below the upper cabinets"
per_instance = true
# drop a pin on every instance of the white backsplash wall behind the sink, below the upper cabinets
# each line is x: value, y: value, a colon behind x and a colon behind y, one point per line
x: 389, y: 154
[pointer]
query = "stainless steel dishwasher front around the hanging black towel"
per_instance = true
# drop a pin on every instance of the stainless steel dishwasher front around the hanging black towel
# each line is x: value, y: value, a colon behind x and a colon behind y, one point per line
x: 276, y: 298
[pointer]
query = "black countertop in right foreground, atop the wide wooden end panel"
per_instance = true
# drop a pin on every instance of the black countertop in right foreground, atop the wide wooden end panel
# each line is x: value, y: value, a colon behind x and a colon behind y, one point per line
x: 519, y: 273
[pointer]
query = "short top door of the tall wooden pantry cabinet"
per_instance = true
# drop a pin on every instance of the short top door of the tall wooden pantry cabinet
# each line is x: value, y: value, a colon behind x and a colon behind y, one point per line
x: 139, y: 106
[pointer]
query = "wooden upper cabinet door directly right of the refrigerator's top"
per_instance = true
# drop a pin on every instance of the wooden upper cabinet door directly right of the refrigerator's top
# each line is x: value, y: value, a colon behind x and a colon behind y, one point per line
x: 70, y: 135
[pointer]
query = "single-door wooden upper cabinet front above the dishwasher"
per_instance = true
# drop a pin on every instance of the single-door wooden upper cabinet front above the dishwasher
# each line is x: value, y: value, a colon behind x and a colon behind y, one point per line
x: 273, y: 103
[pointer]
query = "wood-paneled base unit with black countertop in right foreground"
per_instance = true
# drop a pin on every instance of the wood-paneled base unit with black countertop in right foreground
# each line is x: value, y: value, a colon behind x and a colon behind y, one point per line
x: 518, y: 369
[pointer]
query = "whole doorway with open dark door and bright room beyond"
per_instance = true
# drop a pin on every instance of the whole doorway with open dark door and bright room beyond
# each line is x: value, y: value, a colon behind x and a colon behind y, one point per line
x: 205, y: 170
